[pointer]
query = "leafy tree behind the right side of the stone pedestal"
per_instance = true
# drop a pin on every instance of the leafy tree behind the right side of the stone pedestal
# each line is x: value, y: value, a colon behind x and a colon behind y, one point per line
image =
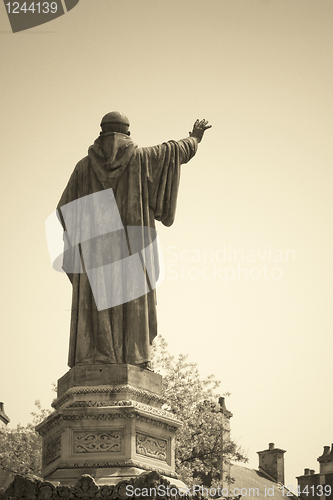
x: 200, y: 446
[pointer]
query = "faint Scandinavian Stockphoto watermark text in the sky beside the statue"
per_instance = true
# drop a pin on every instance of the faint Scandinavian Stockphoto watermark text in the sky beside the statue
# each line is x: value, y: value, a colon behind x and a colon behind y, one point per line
x: 227, y: 264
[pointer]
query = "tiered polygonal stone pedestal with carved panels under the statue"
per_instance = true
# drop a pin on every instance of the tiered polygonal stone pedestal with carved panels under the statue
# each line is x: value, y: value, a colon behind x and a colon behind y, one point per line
x: 109, y: 423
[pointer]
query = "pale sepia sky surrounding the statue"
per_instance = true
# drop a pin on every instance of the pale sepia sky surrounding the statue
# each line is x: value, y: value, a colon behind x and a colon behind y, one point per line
x: 248, y: 285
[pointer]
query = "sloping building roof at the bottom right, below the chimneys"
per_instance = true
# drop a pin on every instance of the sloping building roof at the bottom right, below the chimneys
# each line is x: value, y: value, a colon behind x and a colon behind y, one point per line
x: 256, y: 484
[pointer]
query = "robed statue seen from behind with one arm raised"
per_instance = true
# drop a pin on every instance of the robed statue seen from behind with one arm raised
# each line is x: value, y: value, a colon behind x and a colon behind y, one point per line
x: 139, y: 186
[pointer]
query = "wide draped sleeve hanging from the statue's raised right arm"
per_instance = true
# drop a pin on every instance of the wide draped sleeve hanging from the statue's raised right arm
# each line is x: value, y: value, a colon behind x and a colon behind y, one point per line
x: 163, y: 173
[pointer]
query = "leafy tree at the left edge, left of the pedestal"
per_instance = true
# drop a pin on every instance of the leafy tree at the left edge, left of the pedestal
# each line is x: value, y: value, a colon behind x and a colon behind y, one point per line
x: 21, y: 448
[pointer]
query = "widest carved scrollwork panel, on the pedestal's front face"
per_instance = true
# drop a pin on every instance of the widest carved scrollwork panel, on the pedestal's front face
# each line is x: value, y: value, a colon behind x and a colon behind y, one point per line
x: 97, y: 442
